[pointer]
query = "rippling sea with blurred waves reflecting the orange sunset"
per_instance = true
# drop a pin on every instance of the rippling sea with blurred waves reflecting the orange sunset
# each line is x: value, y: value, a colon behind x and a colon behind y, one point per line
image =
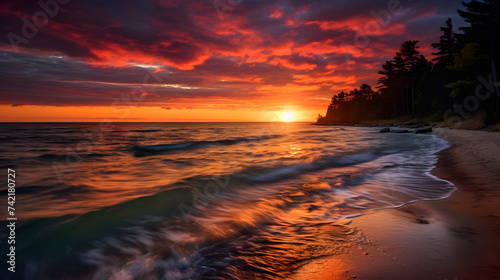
x: 202, y: 200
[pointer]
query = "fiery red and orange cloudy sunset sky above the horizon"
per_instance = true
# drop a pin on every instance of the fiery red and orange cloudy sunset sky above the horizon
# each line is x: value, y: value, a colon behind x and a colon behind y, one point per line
x: 199, y: 60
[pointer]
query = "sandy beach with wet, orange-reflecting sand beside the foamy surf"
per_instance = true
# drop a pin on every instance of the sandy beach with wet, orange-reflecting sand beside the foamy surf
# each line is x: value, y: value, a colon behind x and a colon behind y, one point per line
x: 454, y: 238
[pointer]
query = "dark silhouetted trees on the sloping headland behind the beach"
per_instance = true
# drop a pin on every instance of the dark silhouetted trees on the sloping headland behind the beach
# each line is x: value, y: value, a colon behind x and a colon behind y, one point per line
x: 459, y: 83
